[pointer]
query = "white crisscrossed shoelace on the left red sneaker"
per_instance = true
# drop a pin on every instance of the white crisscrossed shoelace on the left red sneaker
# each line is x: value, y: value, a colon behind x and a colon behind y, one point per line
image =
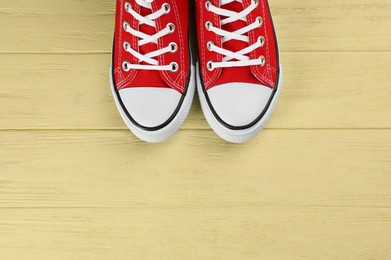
x: 152, y: 64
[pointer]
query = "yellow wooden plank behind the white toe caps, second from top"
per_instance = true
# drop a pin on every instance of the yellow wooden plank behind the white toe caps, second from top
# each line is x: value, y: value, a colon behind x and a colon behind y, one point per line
x: 321, y: 90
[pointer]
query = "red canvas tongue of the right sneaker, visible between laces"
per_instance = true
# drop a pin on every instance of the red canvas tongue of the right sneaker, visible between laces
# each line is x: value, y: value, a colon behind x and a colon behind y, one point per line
x: 242, y: 74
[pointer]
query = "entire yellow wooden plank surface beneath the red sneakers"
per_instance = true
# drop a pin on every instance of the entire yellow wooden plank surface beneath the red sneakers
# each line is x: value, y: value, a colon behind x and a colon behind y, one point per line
x: 75, y: 183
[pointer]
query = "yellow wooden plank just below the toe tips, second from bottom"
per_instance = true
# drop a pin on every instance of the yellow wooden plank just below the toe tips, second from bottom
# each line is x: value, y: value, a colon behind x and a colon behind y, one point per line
x: 328, y: 168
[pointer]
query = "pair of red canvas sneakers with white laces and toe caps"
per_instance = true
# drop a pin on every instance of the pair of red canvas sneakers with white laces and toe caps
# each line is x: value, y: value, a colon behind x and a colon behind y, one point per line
x: 153, y: 79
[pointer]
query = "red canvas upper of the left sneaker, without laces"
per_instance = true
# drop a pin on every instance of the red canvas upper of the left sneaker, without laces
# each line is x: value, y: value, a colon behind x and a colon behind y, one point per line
x: 178, y: 15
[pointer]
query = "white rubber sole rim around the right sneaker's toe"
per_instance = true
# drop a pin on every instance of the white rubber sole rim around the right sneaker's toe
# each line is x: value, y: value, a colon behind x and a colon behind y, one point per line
x: 236, y: 136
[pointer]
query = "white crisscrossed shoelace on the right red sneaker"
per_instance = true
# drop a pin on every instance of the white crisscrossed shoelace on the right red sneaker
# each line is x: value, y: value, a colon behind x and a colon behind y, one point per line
x: 241, y: 56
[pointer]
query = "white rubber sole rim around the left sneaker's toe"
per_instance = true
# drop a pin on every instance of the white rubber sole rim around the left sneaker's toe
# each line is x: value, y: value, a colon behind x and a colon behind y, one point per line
x: 168, y: 131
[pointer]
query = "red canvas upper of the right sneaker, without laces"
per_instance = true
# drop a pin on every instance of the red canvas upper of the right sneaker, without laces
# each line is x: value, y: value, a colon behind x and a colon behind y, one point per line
x: 265, y: 75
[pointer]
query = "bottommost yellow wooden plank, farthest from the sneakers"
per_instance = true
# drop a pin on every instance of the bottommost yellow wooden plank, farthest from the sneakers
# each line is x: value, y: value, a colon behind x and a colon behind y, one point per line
x: 196, y: 233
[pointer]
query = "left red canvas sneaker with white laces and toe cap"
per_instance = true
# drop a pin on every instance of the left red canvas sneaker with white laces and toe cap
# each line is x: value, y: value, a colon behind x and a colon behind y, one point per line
x: 152, y: 76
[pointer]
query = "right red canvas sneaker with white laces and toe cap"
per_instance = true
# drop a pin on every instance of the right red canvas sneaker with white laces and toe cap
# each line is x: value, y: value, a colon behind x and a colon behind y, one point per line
x: 239, y: 74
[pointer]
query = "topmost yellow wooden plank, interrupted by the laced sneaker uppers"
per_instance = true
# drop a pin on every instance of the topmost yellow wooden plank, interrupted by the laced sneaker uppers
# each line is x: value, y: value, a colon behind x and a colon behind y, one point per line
x: 87, y: 26
